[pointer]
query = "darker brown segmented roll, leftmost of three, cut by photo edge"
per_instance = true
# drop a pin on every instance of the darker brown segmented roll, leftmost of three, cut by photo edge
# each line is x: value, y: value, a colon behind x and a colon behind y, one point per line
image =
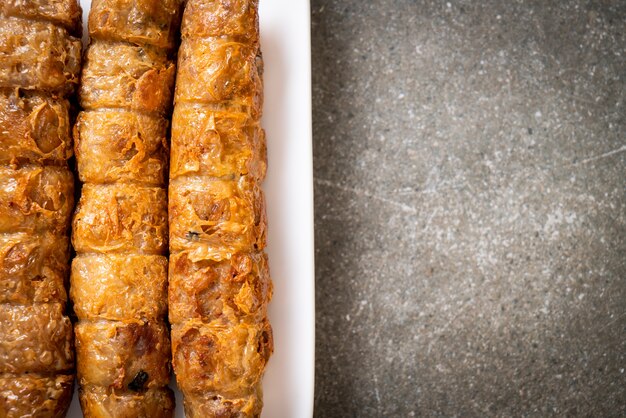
x: 39, y: 70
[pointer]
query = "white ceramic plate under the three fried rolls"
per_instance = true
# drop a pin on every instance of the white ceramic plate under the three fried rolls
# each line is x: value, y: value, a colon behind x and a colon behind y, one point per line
x: 285, y: 41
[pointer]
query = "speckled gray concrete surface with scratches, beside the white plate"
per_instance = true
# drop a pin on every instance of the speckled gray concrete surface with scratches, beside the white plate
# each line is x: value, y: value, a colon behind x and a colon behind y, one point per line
x: 470, y: 197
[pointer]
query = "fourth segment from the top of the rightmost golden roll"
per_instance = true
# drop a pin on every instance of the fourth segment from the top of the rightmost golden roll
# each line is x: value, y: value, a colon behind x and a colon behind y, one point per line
x: 215, y: 219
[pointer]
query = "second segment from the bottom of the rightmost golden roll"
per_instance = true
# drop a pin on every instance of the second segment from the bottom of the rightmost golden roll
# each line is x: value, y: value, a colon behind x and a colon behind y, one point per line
x: 214, y: 359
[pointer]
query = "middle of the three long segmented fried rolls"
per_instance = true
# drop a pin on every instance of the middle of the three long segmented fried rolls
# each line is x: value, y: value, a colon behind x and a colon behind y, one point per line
x: 119, y: 277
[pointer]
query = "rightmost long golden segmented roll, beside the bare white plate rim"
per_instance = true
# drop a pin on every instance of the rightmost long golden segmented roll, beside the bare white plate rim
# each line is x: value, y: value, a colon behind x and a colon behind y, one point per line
x: 219, y: 284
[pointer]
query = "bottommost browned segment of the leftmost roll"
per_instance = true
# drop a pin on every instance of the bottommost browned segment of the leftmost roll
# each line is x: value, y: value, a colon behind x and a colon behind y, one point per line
x: 35, y: 396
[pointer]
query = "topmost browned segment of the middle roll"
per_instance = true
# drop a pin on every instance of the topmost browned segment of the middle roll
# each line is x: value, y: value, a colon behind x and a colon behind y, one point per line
x: 144, y: 22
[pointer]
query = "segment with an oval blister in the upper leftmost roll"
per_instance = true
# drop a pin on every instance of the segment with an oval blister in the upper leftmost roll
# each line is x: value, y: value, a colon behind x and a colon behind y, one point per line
x: 34, y: 128
